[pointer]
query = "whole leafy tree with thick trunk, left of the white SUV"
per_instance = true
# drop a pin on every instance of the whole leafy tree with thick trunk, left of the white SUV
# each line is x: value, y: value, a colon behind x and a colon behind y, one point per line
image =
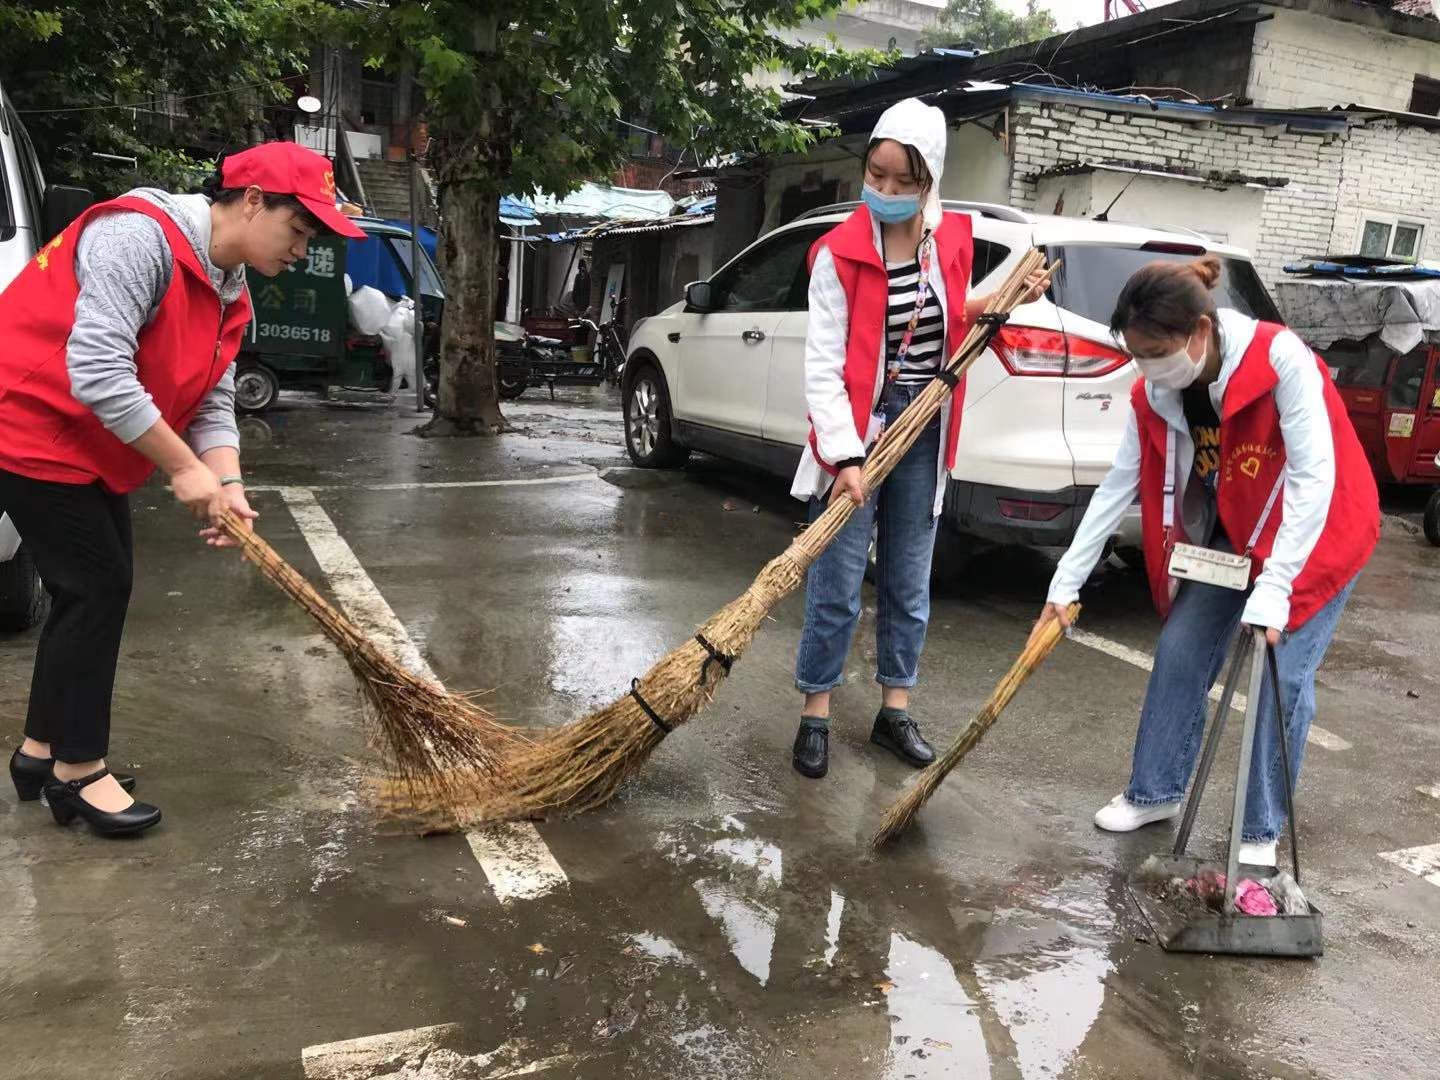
x: 532, y: 94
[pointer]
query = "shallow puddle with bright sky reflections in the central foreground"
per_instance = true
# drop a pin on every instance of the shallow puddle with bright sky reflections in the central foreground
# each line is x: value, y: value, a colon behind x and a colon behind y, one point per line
x: 967, y: 984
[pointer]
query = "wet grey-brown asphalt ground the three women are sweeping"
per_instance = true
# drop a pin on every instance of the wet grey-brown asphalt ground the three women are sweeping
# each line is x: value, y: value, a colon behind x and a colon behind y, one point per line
x: 725, y: 918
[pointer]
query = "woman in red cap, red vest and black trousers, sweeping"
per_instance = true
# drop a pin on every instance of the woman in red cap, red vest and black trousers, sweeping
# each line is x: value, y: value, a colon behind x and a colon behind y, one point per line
x: 120, y: 343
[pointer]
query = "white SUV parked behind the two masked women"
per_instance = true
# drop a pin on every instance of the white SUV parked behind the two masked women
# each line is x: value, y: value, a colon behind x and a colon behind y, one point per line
x: 1045, y: 408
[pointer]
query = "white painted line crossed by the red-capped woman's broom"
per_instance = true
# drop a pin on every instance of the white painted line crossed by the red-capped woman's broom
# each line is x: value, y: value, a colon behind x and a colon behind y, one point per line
x: 515, y: 859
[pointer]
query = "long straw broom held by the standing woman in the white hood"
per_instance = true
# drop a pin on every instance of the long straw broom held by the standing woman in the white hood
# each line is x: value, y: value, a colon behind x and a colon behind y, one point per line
x: 584, y: 764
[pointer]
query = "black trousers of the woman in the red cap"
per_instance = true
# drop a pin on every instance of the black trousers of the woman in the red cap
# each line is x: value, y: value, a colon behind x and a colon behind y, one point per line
x: 80, y: 538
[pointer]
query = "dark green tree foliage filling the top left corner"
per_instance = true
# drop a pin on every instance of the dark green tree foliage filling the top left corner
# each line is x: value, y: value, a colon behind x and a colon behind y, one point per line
x: 71, y: 68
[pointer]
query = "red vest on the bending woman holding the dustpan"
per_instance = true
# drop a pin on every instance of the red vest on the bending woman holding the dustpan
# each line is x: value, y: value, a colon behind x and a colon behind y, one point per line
x: 1252, y: 454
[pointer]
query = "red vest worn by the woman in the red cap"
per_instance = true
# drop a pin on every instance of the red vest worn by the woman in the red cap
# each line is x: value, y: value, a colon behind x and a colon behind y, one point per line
x: 181, y: 356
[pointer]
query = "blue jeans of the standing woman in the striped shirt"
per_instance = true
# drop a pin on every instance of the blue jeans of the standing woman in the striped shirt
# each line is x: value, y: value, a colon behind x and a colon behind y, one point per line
x: 902, y: 515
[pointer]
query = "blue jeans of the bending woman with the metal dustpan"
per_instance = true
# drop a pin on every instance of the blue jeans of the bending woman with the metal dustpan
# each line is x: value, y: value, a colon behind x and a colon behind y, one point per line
x: 1189, y: 657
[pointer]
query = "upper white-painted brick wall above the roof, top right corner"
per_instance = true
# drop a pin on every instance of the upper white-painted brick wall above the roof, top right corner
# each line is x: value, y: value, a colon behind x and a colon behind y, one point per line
x: 1307, y: 61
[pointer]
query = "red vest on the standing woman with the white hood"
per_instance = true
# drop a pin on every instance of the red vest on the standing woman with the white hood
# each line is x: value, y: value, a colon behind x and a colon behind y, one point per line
x: 868, y: 296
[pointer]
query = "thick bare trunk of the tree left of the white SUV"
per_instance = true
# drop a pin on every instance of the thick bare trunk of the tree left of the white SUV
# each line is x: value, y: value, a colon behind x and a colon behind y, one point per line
x: 469, y: 400
